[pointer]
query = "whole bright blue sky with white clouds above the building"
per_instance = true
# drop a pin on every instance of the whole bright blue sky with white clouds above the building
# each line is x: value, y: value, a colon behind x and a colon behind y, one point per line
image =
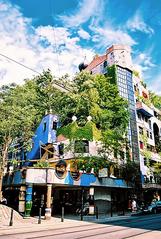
x: 60, y: 34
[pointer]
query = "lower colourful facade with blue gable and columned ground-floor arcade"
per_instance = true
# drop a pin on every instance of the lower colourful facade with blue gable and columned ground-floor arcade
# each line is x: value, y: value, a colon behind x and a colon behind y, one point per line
x: 48, y: 179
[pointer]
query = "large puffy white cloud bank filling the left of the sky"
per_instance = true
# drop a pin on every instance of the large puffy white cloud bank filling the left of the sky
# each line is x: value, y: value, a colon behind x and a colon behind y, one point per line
x: 40, y: 48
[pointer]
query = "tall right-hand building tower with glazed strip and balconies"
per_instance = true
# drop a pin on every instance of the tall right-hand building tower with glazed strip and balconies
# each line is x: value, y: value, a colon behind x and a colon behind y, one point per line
x: 144, y: 129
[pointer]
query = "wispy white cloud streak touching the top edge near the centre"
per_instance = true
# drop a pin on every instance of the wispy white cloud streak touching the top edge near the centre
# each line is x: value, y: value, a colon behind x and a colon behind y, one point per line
x: 86, y: 10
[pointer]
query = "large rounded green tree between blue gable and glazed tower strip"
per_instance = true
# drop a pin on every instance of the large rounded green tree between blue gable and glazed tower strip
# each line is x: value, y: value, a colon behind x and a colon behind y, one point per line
x: 94, y: 95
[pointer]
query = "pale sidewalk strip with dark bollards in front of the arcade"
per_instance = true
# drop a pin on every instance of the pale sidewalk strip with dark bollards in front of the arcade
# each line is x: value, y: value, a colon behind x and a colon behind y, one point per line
x: 31, y: 224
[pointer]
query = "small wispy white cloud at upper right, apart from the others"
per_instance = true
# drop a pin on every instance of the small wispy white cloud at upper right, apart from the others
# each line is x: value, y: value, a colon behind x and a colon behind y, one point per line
x: 137, y: 24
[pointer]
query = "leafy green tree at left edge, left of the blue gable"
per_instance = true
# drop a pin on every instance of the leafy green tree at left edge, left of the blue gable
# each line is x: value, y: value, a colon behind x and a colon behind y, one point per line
x: 22, y: 108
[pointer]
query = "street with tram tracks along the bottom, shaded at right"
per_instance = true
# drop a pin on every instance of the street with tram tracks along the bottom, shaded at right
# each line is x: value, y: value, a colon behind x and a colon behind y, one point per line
x: 148, y: 227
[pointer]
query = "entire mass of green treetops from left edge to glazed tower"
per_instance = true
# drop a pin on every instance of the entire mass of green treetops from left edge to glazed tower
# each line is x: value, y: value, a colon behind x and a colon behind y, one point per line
x: 22, y: 108
